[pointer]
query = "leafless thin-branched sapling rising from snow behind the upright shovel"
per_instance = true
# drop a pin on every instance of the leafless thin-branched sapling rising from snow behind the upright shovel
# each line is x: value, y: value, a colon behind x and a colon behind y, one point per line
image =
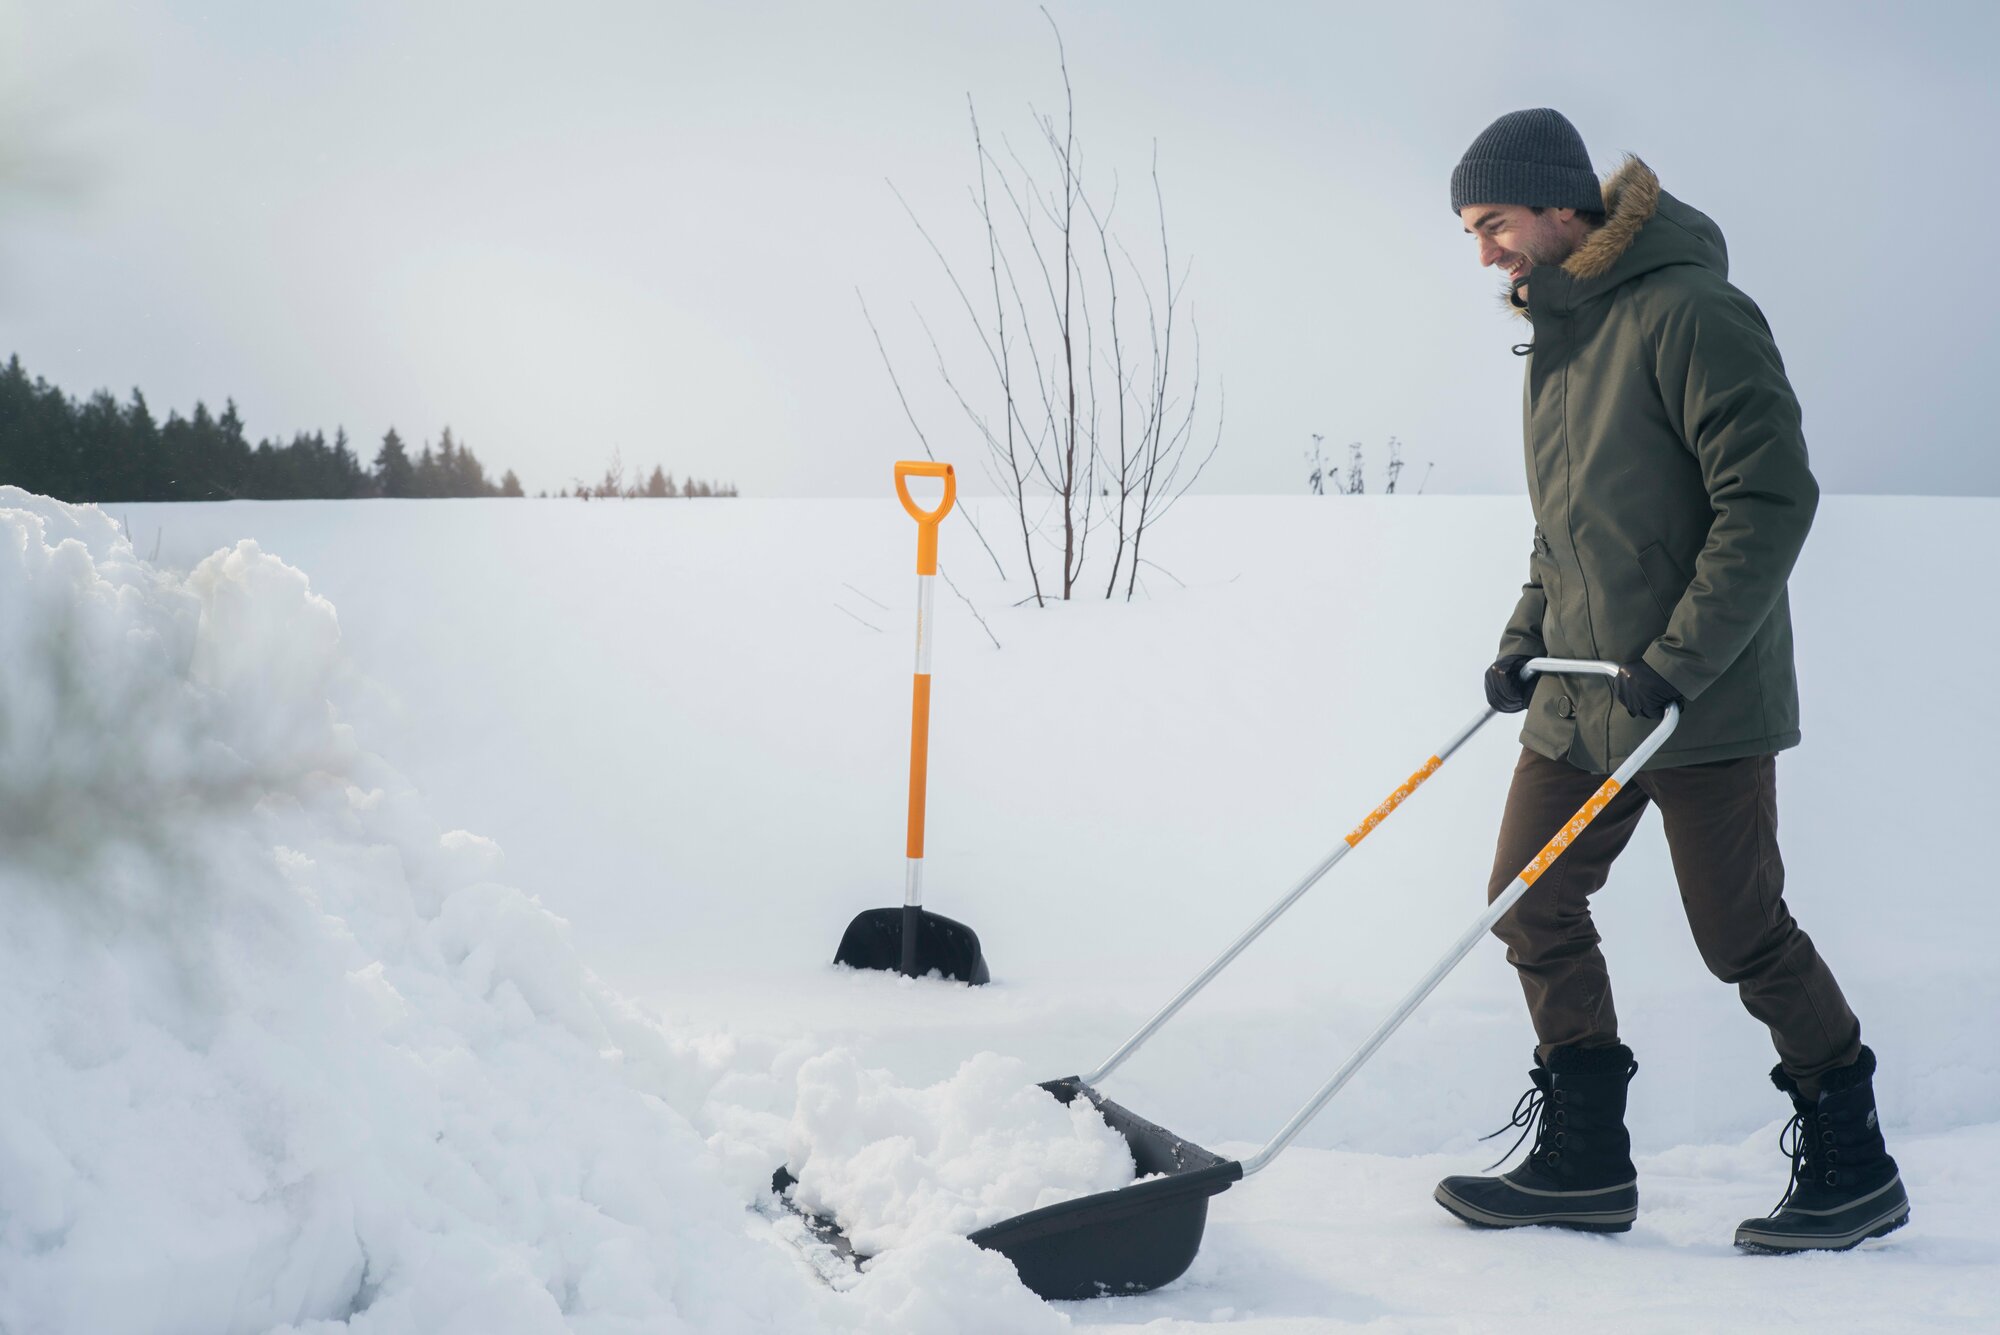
x: 1089, y: 399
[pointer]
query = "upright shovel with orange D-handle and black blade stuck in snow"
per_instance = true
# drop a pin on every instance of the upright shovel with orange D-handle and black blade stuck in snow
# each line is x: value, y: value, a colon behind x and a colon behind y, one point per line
x: 909, y: 938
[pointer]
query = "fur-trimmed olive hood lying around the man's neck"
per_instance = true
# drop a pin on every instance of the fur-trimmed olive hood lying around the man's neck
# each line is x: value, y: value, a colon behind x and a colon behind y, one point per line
x: 1645, y: 229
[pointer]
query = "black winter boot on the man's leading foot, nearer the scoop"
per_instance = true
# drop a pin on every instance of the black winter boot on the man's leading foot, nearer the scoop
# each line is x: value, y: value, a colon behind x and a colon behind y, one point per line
x: 1579, y: 1174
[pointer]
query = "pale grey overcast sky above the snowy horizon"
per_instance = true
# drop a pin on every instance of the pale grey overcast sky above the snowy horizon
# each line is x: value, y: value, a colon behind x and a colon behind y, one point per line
x: 569, y: 229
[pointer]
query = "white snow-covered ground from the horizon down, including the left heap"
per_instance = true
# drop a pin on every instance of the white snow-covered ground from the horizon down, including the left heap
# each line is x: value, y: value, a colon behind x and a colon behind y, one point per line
x: 289, y: 1036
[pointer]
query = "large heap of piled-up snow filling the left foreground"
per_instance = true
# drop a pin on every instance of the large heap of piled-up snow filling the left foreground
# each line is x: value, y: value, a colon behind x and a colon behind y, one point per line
x: 281, y: 1056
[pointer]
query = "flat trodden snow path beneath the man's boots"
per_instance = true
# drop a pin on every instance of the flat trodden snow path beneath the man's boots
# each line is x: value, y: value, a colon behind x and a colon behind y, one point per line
x: 1337, y: 1242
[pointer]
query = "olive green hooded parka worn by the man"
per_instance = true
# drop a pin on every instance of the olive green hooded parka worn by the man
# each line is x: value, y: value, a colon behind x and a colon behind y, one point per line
x: 1671, y: 491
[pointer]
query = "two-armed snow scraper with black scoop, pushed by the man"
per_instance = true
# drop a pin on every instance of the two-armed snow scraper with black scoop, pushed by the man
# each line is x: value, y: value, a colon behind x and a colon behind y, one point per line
x: 1145, y: 1236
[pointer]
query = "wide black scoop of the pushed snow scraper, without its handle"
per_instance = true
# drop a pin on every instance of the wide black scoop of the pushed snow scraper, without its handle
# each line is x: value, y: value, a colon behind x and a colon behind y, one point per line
x: 1131, y: 1240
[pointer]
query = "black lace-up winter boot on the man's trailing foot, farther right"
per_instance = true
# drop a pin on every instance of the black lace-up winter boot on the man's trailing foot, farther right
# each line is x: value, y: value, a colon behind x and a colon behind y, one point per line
x: 1845, y: 1186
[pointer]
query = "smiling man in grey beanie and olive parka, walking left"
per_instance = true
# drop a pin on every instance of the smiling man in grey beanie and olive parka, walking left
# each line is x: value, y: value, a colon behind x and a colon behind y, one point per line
x: 1671, y: 499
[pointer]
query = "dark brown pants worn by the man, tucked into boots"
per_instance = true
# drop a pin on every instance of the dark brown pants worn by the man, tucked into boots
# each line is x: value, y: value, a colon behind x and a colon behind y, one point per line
x: 1723, y: 832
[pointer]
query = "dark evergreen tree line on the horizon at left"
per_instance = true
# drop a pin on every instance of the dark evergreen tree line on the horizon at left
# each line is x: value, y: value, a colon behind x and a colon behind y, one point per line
x: 103, y: 451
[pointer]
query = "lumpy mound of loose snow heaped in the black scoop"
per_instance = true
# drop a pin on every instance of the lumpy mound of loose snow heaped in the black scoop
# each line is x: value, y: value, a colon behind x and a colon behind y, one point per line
x: 895, y: 1164
